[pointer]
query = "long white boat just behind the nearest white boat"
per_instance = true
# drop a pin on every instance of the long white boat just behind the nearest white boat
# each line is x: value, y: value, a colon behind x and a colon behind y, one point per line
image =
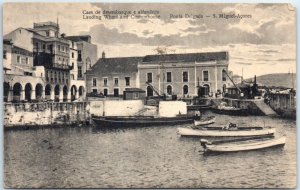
x: 225, y: 133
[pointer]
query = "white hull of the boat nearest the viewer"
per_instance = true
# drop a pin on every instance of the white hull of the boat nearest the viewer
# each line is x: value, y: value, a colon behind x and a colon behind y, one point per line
x: 256, y: 145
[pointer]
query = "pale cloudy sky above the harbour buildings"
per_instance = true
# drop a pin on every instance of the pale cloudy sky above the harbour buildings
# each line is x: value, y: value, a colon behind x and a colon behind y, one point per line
x: 262, y: 44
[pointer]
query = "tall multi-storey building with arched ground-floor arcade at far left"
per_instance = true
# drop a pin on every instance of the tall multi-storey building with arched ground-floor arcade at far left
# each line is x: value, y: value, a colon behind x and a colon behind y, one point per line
x: 40, y: 65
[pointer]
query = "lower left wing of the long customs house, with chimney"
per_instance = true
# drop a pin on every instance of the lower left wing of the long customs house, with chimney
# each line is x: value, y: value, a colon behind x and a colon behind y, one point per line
x: 111, y: 76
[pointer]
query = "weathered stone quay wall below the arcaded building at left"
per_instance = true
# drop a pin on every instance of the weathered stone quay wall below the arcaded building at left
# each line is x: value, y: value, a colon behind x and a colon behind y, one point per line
x: 41, y: 114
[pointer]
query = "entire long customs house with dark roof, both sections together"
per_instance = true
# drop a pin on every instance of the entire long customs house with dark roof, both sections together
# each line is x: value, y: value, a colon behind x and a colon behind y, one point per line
x: 170, y: 74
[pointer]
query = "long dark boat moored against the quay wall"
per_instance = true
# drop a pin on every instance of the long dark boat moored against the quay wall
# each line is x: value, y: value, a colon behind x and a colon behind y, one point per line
x: 140, y: 121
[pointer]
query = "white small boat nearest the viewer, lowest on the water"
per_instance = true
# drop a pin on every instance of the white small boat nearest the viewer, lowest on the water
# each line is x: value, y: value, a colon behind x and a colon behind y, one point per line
x: 241, y: 145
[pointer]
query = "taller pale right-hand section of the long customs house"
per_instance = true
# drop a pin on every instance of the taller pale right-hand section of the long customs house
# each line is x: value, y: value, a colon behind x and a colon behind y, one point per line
x: 183, y: 74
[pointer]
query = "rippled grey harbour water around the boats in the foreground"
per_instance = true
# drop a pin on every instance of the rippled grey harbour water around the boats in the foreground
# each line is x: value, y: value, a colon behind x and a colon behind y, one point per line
x: 145, y: 157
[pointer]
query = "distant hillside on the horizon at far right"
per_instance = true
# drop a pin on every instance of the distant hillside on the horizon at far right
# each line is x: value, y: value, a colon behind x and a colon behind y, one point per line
x: 278, y: 79
